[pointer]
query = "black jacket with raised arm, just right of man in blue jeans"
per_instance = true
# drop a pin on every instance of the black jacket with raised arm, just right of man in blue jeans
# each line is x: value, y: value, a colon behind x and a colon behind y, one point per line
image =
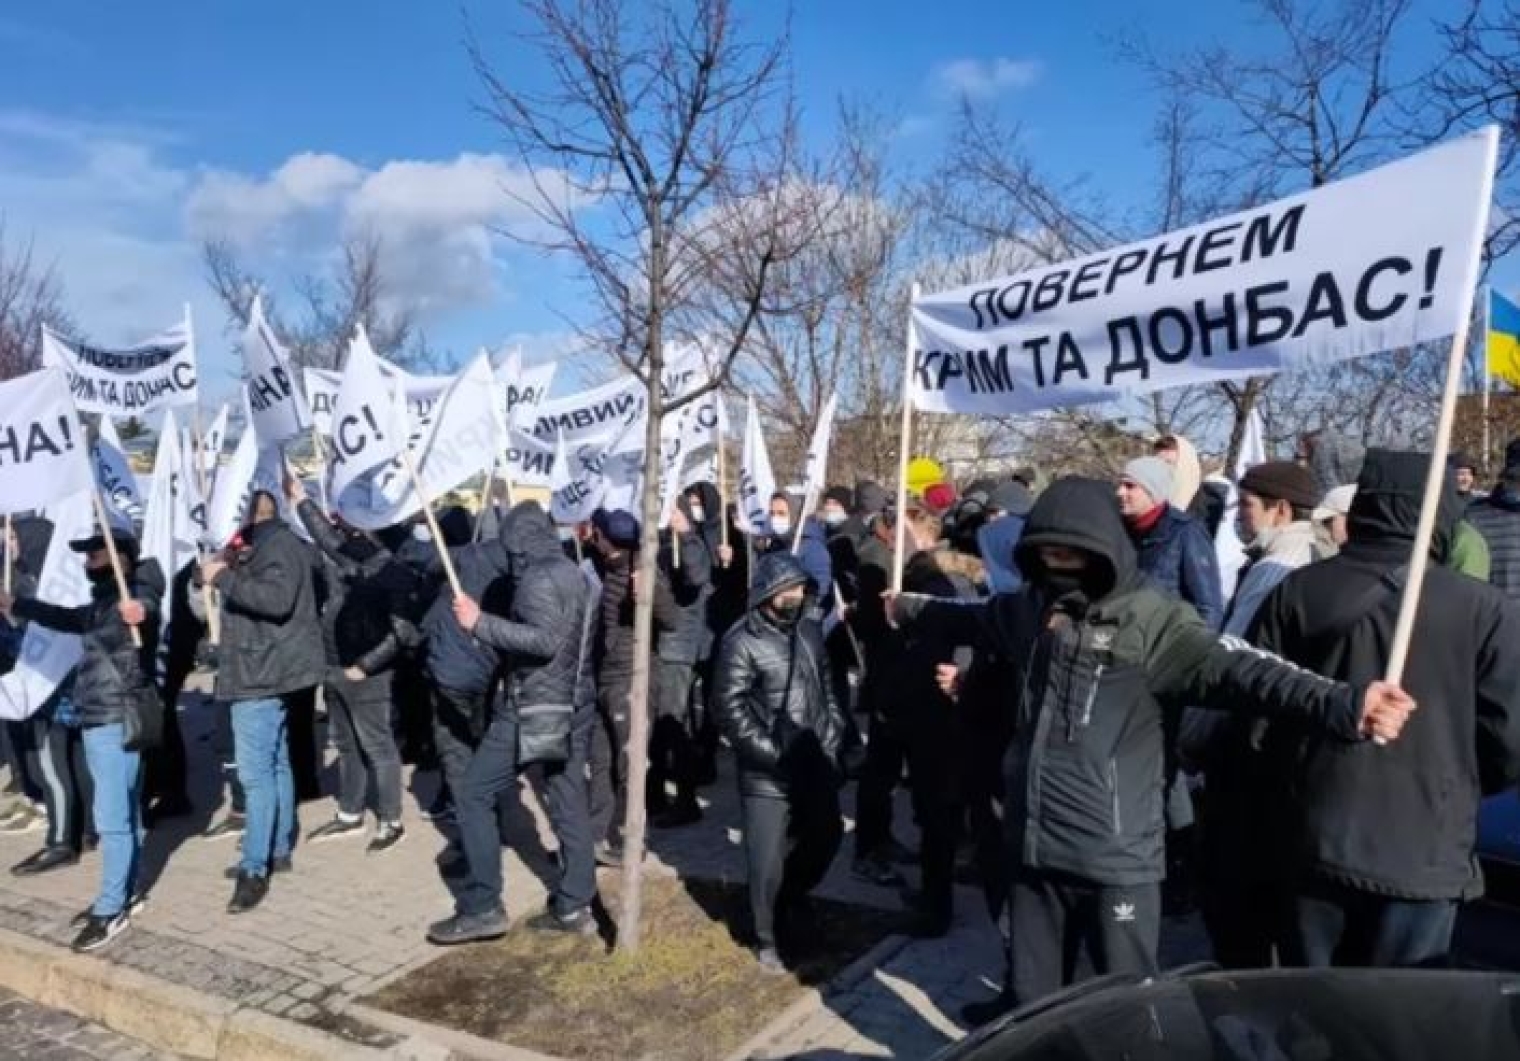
x: 366, y: 621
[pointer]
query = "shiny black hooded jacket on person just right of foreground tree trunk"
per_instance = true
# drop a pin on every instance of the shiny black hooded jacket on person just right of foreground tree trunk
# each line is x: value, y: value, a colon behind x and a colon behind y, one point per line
x: 773, y: 697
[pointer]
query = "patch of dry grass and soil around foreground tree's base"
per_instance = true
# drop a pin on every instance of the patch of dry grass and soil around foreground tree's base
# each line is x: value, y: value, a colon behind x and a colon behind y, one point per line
x: 694, y: 992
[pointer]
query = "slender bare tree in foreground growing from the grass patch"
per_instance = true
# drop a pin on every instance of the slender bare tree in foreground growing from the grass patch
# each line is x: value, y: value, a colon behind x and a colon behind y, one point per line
x: 682, y: 136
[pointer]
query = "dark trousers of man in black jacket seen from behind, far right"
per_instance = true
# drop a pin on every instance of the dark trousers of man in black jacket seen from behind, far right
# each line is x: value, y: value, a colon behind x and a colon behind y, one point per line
x: 1334, y: 925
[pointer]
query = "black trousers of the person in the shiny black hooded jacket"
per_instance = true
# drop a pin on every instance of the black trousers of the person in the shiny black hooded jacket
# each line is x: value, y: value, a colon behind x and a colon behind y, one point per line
x: 790, y: 846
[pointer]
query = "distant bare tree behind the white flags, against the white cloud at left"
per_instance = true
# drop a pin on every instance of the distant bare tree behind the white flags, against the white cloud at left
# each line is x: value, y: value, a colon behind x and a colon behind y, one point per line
x: 328, y: 306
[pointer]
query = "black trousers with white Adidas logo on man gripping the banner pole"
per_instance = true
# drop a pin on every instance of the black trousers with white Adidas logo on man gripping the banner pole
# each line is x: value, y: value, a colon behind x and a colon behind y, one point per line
x: 1063, y: 925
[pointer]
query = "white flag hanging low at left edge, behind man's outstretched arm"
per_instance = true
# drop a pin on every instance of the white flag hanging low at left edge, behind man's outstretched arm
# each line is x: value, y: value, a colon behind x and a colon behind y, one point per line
x: 48, y: 656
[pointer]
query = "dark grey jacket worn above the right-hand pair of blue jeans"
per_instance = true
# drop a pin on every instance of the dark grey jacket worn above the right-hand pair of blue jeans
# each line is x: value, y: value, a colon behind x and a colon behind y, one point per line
x: 271, y: 630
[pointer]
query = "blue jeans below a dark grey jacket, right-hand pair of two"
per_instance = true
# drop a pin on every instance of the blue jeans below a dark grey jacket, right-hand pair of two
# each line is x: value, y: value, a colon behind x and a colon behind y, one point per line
x: 264, y: 767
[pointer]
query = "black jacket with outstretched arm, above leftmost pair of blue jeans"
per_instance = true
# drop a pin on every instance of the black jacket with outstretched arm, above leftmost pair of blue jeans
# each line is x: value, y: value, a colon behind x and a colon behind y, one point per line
x: 112, y: 670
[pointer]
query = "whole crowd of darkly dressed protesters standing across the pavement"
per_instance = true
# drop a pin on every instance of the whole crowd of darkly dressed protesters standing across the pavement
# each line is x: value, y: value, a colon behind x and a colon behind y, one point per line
x: 1094, y: 720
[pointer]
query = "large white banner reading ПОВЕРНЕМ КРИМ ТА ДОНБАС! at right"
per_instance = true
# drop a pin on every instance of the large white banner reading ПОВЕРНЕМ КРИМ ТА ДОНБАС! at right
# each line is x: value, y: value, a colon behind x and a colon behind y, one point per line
x: 1370, y: 264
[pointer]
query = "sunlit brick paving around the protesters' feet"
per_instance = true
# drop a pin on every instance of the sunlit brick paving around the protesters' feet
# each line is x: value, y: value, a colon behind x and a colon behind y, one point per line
x: 344, y: 923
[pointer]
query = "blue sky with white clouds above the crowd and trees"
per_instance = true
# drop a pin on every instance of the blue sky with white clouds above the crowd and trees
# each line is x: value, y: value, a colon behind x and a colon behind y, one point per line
x: 131, y: 131
